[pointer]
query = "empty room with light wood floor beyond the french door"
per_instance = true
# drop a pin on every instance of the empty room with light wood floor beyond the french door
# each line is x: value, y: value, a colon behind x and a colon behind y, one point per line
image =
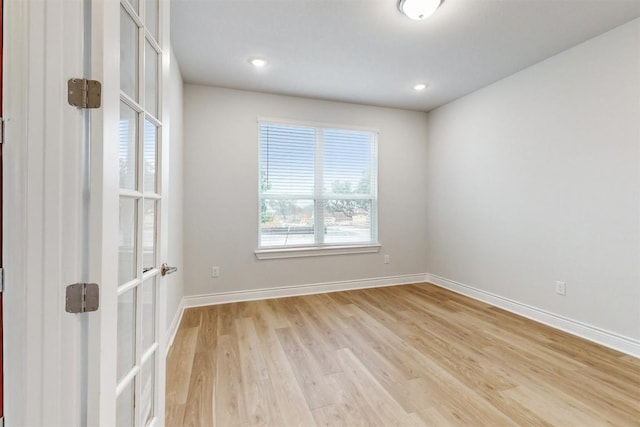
x: 511, y: 179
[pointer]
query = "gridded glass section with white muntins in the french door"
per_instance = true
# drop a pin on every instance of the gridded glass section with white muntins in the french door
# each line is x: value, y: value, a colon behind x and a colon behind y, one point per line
x: 140, y: 201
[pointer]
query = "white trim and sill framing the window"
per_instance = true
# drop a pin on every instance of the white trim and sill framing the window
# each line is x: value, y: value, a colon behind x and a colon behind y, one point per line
x: 320, y: 248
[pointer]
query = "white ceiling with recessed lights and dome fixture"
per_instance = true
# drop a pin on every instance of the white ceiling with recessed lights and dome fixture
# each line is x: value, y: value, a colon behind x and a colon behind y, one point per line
x: 365, y: 51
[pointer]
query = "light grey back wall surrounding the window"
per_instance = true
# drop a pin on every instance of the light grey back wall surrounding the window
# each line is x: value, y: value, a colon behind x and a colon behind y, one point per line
x: 221, y: 191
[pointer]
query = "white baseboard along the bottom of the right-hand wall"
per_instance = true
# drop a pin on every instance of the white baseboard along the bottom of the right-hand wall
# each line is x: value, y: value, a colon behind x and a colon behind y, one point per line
x: 608, y: 339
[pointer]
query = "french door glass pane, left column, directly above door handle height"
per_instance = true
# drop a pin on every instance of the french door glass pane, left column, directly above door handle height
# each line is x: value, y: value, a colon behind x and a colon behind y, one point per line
x: 126, y: 241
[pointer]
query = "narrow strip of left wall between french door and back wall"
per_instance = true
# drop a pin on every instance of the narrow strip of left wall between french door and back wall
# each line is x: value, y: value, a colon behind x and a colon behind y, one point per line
x: 175, y: 282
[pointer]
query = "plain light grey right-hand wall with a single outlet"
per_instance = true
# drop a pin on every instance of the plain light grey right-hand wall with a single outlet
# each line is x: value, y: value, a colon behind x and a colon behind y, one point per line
x: 536, y: 178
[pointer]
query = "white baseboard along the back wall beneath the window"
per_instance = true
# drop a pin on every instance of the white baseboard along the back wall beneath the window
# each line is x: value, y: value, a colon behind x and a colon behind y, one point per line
x: 290, y: 291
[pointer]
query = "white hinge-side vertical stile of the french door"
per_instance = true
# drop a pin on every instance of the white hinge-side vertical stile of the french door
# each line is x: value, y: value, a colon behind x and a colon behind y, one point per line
x: 105, y: 36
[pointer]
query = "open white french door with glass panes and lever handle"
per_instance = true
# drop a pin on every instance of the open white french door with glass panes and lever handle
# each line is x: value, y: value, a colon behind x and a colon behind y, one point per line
x: 131, y: 140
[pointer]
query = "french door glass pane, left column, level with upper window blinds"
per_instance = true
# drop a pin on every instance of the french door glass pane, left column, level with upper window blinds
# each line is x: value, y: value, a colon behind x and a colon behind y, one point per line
x: 128, y: 143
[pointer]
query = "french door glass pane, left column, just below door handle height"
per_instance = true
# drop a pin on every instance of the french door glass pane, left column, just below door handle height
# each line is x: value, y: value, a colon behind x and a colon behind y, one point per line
x: 126, y: 332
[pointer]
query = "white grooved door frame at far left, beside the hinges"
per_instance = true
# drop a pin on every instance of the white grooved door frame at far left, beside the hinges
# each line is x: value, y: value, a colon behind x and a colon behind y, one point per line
x: 43, y: 213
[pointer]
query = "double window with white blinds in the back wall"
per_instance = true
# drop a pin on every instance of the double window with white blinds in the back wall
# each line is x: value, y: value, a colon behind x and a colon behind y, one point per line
x: 318, y: 187
